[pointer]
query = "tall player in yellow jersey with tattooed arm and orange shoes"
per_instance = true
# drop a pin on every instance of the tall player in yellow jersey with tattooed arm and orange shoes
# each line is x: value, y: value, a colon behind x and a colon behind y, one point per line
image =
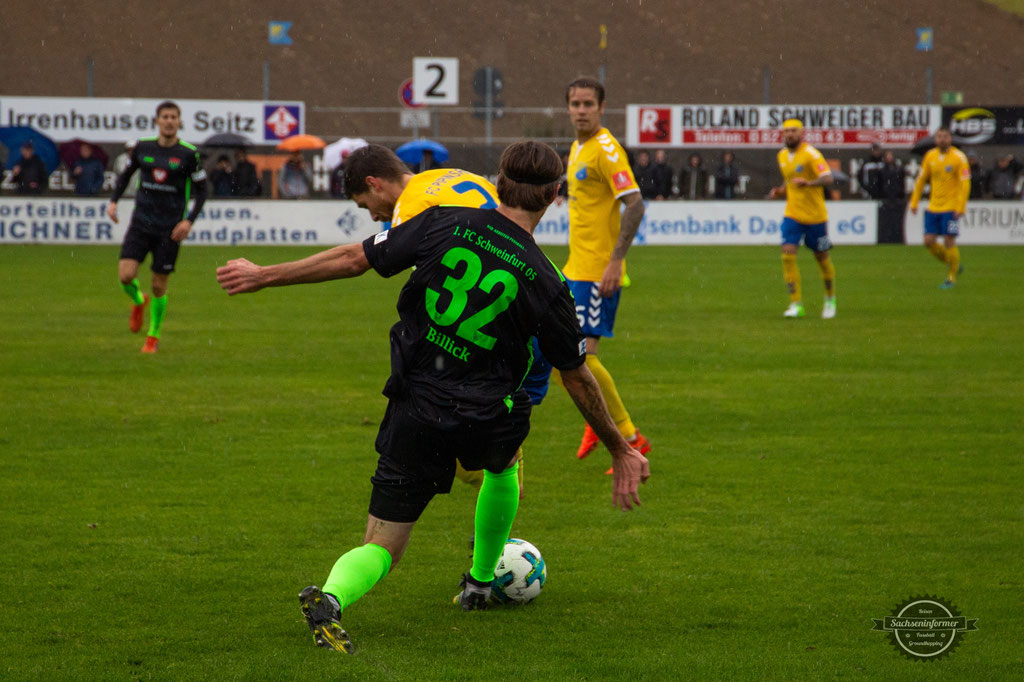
x: 600, y: 180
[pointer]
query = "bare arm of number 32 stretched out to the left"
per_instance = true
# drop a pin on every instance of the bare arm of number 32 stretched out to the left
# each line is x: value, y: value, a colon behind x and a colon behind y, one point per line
x: 243, y: 277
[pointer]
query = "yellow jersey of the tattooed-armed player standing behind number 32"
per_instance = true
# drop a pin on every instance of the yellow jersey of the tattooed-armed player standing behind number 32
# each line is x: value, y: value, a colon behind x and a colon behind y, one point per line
x: 599, y: 177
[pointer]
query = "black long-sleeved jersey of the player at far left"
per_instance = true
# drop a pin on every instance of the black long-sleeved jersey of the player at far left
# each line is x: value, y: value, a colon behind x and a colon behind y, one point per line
x: 169, y: 179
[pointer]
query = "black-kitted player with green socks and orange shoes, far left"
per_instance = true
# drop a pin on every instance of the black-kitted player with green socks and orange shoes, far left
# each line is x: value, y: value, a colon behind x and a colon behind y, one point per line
x: 172, y: 176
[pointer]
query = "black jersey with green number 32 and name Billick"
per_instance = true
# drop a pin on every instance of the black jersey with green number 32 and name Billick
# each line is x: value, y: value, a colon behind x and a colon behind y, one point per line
x: 481, y: 290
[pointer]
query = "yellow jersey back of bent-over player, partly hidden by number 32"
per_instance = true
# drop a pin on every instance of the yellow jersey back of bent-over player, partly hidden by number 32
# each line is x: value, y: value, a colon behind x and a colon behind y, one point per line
x: 444, y: 187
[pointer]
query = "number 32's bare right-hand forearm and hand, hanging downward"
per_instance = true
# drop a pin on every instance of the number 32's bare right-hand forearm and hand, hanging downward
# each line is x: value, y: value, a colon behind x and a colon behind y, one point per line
x: 630, y: 468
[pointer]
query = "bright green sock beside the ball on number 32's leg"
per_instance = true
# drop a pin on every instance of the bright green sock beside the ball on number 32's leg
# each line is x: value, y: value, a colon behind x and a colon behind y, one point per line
x: 496, y: 508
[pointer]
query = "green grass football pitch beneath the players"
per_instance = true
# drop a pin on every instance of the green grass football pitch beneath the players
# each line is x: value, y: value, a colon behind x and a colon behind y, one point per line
x: 160, y: 515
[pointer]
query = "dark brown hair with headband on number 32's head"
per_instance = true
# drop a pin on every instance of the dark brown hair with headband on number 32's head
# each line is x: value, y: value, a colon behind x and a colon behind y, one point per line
x: 528, y: 176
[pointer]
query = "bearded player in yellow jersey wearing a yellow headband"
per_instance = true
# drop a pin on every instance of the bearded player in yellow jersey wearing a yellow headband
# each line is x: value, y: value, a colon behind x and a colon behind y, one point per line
x: 805, y: 176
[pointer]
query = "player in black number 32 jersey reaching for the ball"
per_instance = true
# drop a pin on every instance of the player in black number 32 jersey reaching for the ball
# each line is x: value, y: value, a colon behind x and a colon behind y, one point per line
x: 482, y: 288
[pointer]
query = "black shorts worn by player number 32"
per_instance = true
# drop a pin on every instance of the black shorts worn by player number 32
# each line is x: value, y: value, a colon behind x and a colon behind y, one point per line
x: 417, y: 460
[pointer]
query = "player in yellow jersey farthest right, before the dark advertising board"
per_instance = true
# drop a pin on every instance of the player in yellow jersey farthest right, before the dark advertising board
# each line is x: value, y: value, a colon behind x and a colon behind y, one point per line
x: 949, y: 172
